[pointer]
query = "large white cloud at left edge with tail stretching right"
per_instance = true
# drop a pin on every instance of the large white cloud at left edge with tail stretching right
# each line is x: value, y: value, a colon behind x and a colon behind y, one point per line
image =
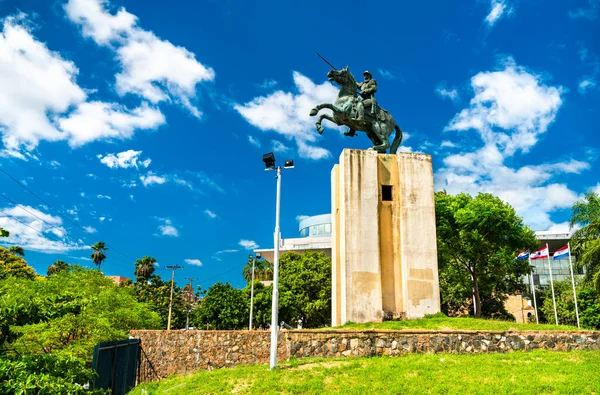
x: 39, y: 89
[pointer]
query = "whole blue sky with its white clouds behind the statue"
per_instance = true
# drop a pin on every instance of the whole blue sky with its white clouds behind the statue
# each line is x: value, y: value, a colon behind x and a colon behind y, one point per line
x: 144, y: 123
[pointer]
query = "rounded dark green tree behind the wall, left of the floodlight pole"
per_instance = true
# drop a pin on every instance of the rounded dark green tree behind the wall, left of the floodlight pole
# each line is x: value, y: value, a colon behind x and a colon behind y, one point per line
x: 223, y: 307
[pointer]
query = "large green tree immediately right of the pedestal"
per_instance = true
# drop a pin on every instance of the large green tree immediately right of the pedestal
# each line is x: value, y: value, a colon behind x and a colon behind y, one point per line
x: 477, y: 240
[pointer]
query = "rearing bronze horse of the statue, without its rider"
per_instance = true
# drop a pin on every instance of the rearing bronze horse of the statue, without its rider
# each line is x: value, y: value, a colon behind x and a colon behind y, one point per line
x: 377, y: 126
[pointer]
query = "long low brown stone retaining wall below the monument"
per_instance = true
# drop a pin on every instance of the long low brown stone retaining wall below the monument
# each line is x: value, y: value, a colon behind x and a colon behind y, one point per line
x: 168, y: 352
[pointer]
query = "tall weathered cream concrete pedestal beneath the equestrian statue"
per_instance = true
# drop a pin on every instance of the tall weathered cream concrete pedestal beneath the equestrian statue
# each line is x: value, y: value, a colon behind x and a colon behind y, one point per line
x: 384, y: 254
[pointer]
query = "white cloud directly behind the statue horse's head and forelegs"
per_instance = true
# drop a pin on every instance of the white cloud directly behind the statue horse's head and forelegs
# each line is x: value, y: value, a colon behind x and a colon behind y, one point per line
x: 287, y: 114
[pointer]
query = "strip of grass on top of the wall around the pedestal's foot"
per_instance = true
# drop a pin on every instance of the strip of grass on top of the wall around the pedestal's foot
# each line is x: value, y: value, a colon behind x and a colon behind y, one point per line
x: 456, y: 323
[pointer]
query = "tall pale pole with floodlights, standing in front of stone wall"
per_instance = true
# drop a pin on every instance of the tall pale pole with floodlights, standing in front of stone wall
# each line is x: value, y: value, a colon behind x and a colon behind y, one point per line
x: 269, y: 160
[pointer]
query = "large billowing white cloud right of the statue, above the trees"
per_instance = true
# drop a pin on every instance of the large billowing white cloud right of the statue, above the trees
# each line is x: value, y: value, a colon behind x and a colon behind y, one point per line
x: 509, y: 110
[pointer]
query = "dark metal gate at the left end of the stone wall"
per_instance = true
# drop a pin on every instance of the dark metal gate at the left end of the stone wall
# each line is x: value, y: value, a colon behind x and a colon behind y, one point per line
x: 116, y: 364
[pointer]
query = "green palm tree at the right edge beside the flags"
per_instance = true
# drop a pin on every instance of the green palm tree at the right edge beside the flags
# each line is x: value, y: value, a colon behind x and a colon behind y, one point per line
x: 586, y: 240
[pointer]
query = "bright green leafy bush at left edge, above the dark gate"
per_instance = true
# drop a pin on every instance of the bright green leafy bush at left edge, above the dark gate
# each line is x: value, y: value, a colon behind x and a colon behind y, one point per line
x: 70, y: 311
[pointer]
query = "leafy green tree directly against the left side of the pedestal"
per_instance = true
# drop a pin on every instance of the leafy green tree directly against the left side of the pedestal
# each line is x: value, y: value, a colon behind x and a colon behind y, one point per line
x: 305, y: 289
